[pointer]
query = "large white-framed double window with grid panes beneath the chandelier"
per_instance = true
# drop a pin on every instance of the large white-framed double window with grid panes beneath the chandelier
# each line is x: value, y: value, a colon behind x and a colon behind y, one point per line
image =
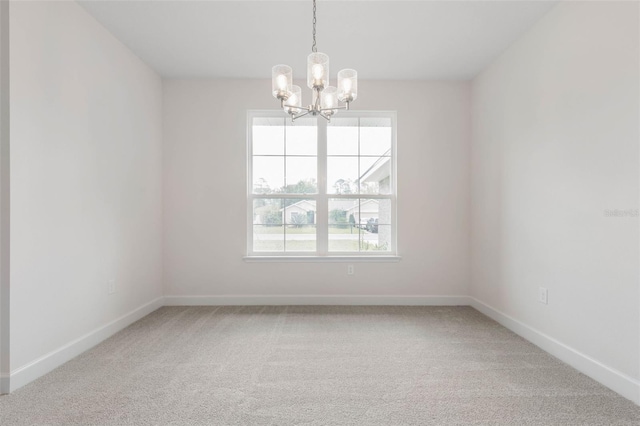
x: 321, y: 189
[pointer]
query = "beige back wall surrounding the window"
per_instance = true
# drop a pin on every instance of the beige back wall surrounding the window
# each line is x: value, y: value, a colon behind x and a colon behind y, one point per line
x: 205, y: 194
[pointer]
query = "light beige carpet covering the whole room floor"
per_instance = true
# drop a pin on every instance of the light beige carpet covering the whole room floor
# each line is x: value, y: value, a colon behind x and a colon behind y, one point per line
x: 316, y: 365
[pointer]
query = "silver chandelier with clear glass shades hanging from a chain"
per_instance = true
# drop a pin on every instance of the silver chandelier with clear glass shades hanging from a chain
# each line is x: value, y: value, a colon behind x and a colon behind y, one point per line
x: 325, y: 99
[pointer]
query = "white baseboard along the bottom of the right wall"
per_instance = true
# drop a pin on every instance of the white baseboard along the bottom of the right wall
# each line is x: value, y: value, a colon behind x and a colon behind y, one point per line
x: 615, y: 380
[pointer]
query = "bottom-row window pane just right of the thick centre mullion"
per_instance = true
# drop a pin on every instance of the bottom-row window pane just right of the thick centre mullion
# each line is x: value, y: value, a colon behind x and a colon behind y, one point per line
x: 344, y: 233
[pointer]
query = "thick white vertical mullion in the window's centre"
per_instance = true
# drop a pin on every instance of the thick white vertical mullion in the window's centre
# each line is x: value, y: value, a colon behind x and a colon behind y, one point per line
x: 322, y: 206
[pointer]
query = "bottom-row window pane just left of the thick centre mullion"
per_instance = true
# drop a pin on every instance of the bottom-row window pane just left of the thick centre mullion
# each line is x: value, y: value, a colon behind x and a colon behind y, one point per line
x: 300, y: 219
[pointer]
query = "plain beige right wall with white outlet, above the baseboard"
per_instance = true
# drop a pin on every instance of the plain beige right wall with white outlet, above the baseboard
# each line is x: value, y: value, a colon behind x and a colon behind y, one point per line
x: 555, y: 145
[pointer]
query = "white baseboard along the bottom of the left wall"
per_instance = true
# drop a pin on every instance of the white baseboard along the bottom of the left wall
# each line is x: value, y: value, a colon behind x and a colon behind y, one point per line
x: 27, y: 373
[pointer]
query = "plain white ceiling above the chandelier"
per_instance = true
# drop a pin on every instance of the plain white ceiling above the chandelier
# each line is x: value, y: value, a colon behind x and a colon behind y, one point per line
x: 380, y: 39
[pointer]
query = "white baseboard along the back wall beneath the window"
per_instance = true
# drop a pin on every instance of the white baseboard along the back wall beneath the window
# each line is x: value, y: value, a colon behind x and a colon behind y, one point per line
x: 242, y: 300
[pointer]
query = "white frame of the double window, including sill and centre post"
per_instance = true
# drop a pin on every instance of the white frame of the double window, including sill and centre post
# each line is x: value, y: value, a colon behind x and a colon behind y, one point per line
x: 322, y: 197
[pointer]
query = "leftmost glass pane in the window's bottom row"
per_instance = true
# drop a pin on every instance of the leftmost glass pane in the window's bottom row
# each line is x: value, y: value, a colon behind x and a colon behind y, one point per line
x: 268, y: 230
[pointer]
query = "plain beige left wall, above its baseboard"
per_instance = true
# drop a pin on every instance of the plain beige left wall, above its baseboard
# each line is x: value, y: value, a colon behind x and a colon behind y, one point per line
x: 85, y: 178
